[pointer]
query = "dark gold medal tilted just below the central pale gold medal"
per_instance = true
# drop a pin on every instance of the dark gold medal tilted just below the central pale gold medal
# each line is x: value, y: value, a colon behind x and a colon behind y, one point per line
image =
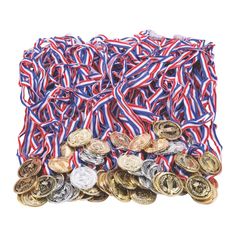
x: 124, y: 179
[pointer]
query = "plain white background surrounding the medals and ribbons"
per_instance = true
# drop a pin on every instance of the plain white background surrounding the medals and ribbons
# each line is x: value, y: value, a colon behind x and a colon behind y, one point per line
x: 23, y: 22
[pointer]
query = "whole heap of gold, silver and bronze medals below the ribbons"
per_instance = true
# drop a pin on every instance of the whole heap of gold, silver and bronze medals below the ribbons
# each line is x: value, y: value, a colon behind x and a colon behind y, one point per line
x: 132, y: 179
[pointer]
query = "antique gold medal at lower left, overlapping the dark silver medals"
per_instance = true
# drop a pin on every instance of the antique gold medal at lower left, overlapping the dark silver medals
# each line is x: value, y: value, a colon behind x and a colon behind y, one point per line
x: 45, y: 185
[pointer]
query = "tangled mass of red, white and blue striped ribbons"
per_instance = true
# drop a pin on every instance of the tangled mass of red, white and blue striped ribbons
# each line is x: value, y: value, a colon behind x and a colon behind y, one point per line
x: 122, y: 85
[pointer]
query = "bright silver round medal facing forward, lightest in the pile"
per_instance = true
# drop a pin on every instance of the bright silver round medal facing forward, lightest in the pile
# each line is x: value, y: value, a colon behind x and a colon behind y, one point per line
x: 83, y: 177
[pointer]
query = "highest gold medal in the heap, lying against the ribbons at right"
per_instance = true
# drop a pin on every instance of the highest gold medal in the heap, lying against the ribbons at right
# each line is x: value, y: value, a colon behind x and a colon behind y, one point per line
x: 167, y: 129
